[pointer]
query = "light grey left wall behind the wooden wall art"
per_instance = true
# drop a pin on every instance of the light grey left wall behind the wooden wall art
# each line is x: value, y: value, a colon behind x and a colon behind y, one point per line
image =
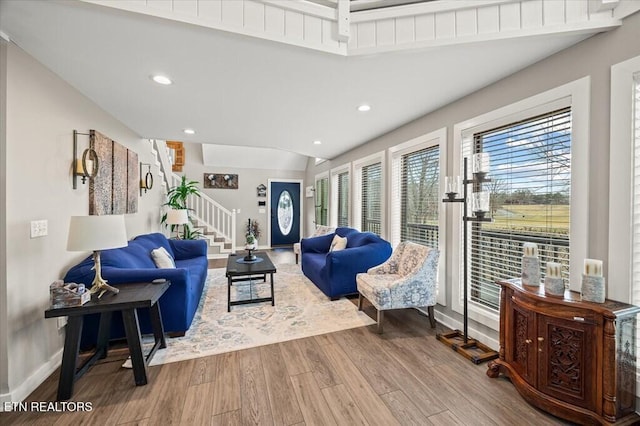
x: 41, y: 113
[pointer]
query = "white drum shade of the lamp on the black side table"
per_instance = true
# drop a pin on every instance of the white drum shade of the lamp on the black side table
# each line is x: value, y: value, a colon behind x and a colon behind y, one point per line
x: 89, y: 233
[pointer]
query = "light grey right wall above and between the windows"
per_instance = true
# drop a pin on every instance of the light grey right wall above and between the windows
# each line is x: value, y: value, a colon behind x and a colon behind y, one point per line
x: 592, y: 57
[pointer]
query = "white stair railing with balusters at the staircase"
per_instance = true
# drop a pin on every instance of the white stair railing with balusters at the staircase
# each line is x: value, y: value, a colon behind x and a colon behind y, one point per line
x: 211, y: 214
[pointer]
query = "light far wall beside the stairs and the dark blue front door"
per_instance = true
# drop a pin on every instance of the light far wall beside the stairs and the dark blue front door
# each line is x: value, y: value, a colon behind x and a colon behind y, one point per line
x: 243, y: 198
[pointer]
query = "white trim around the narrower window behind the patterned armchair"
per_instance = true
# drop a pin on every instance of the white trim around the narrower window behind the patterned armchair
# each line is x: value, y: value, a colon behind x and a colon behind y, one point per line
x: 435, y: 138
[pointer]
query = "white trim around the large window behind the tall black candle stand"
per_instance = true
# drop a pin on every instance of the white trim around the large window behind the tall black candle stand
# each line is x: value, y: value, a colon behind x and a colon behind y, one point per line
x: 575, y: 95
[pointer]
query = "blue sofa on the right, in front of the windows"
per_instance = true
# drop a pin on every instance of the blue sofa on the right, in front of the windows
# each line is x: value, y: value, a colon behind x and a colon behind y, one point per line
x: 335, y: 272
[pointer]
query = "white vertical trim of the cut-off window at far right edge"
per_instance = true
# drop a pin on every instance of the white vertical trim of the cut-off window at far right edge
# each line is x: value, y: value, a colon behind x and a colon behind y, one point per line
x: 621, y: 163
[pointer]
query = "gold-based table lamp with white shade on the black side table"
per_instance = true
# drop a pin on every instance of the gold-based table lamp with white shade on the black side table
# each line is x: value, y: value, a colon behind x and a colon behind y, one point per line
x: 95, y: 233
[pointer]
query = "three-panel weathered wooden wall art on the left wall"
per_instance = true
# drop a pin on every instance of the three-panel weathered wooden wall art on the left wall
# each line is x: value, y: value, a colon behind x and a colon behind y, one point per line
x: 115, y: 189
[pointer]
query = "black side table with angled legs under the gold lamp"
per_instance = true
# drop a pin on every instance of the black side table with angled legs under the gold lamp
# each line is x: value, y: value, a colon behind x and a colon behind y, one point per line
x: 130, y: 298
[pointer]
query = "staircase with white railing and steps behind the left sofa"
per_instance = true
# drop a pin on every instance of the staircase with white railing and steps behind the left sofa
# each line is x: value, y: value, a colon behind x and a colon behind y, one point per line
x: 217, y: 223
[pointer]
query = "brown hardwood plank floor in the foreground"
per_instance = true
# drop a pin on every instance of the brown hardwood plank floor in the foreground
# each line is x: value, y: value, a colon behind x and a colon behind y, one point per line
x: 352, y: 377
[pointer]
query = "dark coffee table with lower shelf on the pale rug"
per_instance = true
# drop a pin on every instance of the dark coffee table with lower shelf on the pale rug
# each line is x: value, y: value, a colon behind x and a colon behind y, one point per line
x: 240, y: 270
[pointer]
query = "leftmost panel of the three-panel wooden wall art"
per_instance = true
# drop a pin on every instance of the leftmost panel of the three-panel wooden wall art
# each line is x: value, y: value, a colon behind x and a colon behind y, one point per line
x: 101, y: 187
